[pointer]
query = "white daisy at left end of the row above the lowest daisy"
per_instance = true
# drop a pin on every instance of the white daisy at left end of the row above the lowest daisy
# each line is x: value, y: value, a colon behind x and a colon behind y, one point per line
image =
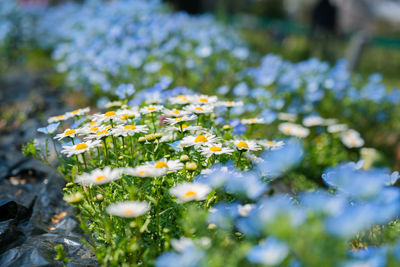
x: 99, y: 176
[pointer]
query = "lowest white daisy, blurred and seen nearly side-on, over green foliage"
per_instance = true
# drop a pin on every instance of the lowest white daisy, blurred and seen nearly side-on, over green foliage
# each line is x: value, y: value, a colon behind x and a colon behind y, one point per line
x: 128, y: 209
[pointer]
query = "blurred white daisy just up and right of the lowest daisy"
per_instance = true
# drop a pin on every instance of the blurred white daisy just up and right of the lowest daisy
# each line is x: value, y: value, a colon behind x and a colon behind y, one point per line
x: 190, y: 191
